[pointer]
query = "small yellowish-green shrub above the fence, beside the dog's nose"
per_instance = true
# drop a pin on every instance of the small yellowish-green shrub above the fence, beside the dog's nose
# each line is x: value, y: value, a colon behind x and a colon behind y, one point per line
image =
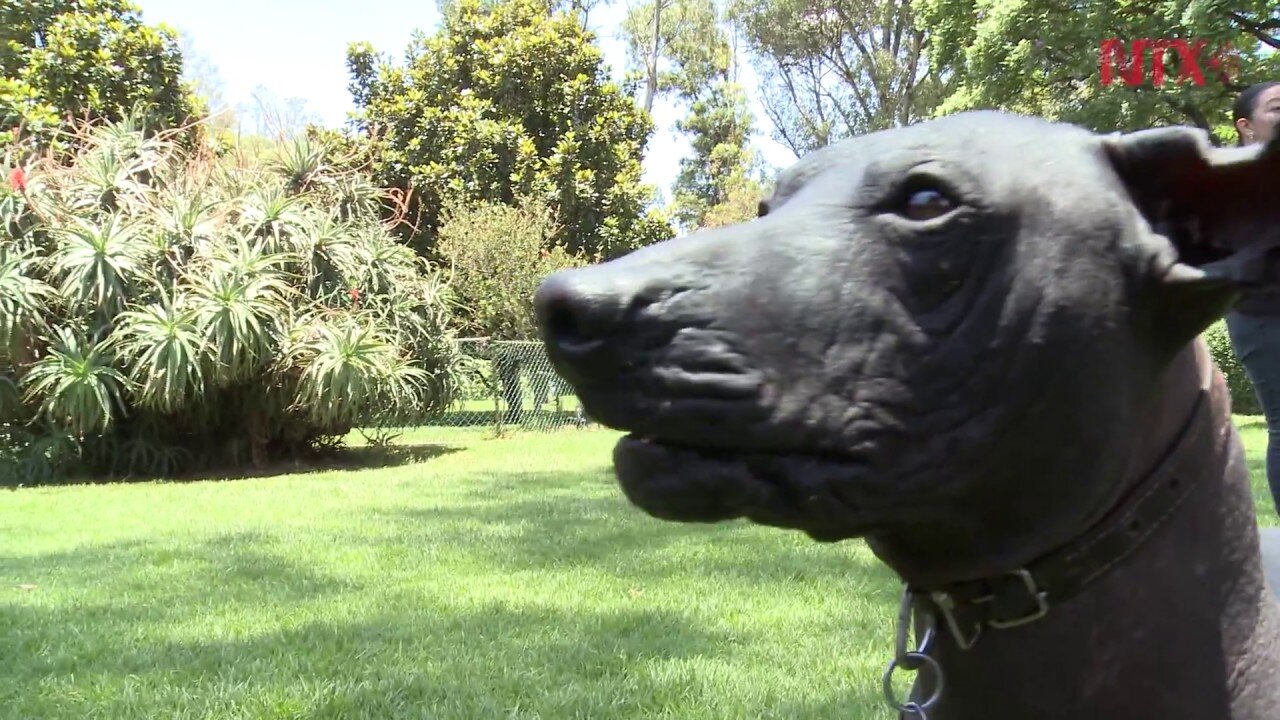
x: 499, y: 256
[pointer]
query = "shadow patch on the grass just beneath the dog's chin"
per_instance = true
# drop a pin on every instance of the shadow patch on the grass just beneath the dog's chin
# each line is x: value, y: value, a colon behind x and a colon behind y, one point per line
x: 563, y: 526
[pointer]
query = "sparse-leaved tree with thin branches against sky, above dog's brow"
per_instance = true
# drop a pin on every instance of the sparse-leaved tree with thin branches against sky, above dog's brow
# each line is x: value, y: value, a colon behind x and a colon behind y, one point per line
x: 836, y: 69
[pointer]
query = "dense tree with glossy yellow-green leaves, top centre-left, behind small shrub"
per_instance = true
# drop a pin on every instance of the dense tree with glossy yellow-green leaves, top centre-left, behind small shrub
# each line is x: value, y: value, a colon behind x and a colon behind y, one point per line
x: 508, y: 101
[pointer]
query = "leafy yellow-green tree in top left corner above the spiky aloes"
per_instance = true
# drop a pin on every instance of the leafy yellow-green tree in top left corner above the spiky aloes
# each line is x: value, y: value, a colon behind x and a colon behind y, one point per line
x: 89, y: 60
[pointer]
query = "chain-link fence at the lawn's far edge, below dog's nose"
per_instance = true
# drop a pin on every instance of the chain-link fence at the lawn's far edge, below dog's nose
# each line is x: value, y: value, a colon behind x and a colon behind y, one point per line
x: 510, y: 386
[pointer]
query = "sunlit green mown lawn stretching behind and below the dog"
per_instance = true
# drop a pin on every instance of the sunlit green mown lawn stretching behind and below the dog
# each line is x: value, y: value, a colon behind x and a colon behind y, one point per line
x: 490, y: 580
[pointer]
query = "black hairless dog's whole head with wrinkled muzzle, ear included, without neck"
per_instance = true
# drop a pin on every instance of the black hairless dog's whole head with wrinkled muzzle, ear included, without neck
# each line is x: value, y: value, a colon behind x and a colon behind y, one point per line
x: 936, y: 338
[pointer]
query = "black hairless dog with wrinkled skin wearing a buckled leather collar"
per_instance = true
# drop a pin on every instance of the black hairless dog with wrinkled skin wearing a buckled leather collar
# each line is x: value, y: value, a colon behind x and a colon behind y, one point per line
x: 975, y: 343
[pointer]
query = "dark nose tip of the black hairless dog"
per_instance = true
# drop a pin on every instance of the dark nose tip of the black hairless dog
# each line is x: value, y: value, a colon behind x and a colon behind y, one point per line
x: 578, y: 317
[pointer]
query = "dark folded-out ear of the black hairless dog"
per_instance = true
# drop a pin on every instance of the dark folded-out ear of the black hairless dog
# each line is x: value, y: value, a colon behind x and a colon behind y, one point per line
x: 1218, y: 209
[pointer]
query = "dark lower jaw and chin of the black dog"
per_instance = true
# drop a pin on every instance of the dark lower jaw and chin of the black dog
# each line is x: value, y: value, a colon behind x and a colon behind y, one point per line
x: 693, y: 485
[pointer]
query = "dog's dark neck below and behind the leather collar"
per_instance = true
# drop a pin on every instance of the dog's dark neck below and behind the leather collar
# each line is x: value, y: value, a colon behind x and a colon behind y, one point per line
x: 1182, y: 627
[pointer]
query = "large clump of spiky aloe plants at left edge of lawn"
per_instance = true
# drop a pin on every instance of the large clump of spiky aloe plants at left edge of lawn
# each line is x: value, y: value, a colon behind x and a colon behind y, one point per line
x: 167, y: 309
